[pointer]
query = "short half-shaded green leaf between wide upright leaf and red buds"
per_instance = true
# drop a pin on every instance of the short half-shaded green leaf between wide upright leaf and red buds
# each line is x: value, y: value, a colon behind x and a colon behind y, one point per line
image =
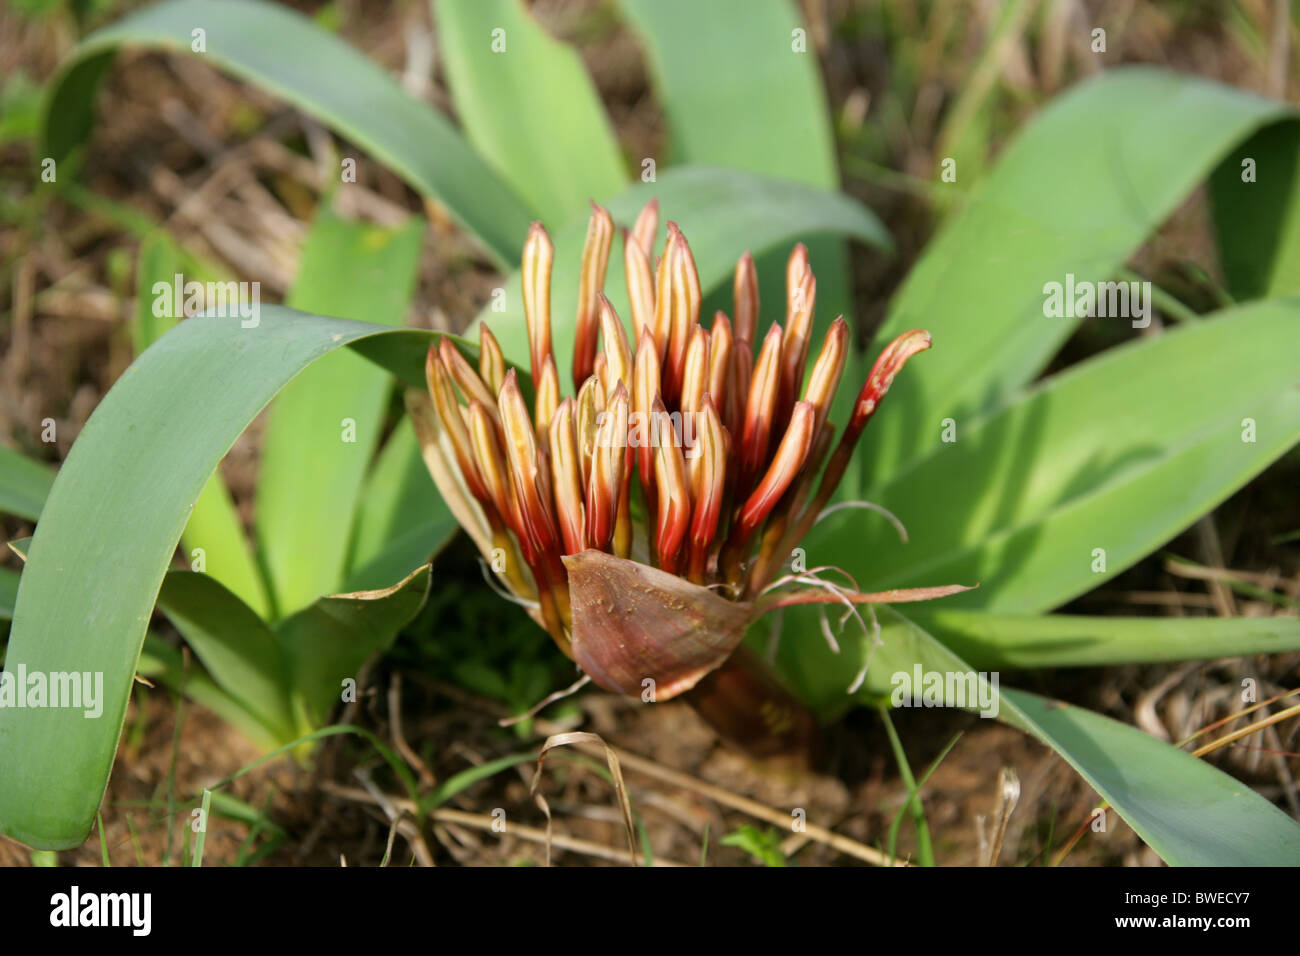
x: 401, y: 520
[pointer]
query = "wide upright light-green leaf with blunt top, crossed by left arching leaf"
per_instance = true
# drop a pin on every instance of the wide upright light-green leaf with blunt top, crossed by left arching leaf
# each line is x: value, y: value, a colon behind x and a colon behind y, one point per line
x: 326, y: 427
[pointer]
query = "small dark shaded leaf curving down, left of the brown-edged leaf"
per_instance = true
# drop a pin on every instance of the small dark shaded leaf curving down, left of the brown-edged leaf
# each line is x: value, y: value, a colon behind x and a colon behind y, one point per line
x: 235, y: 644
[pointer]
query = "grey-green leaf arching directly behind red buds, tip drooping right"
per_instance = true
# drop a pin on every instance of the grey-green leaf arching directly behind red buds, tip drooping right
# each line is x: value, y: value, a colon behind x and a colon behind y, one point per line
x: 721, y: 211
